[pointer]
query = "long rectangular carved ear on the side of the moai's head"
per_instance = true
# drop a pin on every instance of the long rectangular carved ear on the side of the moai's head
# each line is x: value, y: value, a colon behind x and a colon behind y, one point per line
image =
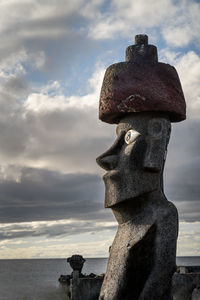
x: 157, y: 140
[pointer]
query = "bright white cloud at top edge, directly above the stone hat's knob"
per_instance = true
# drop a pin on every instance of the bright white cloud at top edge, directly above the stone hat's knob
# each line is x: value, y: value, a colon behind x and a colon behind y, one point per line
x: 127, y: 17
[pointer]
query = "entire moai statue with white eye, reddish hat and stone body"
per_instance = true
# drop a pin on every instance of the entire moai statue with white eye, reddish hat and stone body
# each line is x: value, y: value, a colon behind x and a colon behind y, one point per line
x: 143, y: 97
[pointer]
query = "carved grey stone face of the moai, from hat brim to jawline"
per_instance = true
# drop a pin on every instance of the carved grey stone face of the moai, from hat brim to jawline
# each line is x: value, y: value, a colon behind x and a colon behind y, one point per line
x: 135, y: 162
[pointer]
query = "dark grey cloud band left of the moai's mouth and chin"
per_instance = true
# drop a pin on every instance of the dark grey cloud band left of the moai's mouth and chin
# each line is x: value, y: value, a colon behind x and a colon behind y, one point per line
x: 47, y: 195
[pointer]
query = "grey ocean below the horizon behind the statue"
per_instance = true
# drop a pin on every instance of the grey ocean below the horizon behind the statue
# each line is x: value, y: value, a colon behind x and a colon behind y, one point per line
x: 37, y: 279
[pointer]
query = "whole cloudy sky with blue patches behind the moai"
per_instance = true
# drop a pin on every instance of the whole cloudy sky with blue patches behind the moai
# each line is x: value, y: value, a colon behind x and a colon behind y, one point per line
x: 53, y: 55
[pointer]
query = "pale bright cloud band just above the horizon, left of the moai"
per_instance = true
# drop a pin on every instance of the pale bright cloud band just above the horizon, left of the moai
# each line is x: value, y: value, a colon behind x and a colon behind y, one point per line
x: 91, y: 244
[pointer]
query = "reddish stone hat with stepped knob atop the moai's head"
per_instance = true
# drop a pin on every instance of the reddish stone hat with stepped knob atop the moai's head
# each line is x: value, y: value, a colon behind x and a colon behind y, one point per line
x: 141, y: 84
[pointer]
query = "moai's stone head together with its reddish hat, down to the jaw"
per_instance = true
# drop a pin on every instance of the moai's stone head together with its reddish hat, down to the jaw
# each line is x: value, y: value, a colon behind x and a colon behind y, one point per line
x: 143, y: 96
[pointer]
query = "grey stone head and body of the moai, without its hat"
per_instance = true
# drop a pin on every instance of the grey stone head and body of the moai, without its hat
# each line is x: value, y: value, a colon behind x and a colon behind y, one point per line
x: 142, y: 256
